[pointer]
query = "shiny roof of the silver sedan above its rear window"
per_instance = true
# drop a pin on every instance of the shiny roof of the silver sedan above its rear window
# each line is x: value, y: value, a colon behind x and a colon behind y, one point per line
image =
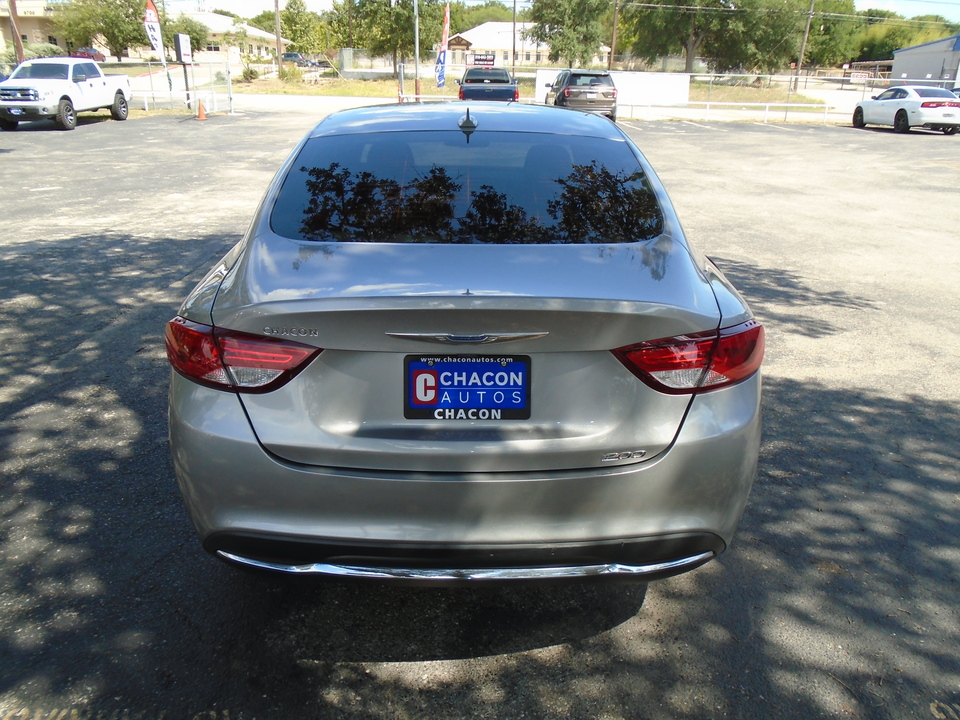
x: 488, y: 116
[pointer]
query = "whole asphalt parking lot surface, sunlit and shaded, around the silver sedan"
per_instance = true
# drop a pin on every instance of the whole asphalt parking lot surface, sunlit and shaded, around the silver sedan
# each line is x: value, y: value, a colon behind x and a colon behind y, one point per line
x: 838, y: 599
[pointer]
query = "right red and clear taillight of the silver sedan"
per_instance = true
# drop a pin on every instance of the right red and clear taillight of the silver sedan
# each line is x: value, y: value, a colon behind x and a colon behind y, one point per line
x: 702, y: 361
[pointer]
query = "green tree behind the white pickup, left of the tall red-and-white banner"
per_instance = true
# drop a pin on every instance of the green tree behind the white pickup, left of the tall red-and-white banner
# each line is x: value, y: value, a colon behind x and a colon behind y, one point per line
x: 118, y: 23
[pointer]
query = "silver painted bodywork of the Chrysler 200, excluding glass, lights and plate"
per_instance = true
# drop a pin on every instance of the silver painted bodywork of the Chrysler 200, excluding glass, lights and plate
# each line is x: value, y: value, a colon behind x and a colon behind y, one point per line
x: 331, y: 457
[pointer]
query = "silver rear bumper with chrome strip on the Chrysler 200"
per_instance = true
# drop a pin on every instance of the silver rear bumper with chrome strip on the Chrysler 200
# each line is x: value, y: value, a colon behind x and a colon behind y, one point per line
x: 647, y: 520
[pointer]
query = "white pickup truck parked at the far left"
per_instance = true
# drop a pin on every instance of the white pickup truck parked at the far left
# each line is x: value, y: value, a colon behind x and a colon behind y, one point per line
x: 59, y: 88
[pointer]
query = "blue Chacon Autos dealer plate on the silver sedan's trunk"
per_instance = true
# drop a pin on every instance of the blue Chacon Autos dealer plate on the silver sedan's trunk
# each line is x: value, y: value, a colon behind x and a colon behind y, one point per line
x: 466, y: 387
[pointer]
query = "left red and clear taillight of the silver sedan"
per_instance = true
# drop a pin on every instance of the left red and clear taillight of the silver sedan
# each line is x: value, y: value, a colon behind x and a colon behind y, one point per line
x: 233, y: 361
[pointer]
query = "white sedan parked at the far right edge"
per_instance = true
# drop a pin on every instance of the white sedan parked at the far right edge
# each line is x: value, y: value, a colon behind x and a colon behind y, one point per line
x: 911, y: 106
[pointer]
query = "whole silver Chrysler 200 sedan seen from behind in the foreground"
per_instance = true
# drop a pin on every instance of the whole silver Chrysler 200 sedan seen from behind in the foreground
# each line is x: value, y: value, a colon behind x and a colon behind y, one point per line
x: 425, y: 361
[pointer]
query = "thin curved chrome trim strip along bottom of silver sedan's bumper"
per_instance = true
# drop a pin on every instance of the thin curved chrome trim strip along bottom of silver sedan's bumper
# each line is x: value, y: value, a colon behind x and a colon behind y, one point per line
x: 524, y: 573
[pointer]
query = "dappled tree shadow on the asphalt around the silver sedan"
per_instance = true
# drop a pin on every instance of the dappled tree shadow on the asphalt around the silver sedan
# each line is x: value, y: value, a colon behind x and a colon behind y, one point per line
x: 837, y: 598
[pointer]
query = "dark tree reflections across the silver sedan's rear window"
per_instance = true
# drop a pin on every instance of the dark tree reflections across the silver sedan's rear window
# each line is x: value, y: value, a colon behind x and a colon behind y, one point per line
x: 590, y: 205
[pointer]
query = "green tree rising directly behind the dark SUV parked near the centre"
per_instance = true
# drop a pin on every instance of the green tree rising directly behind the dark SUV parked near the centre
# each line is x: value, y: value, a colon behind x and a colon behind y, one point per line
x: 572, y: 28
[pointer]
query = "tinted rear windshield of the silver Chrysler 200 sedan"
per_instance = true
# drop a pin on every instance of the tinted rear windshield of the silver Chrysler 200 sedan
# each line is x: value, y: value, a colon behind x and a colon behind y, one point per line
x: 436, y: 187
